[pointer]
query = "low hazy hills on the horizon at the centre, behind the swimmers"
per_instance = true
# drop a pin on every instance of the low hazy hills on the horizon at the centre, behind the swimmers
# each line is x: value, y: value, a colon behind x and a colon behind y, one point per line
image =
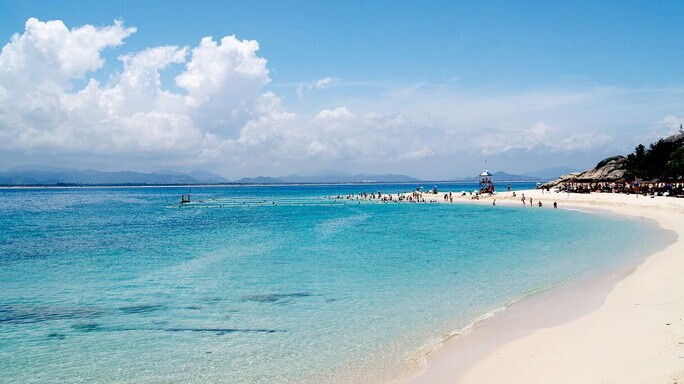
x: 328, y: 178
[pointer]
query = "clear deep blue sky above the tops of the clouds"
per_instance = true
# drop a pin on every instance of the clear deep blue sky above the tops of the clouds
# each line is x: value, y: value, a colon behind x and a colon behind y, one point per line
x: 495, y: 43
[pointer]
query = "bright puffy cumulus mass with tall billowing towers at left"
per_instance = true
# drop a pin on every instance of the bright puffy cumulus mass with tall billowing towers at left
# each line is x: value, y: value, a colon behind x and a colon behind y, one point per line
x: 223, y: 83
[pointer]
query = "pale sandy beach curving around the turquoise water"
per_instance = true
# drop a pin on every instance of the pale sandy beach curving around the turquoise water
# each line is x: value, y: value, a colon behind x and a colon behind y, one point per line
x: 629, y: 318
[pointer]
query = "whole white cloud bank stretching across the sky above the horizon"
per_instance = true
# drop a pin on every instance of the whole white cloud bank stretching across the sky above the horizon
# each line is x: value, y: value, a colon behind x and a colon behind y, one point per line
x: 220, y: 113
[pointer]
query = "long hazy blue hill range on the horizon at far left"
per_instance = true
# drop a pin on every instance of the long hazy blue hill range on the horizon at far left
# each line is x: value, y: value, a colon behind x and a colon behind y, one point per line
x: 66, y: 176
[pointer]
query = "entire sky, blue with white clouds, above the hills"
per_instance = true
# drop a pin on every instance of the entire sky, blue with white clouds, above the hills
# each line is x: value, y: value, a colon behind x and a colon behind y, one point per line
x: 430, y: 89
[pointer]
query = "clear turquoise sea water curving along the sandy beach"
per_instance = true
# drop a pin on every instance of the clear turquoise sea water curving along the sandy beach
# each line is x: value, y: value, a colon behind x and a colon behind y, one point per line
x: 123, y: 285
